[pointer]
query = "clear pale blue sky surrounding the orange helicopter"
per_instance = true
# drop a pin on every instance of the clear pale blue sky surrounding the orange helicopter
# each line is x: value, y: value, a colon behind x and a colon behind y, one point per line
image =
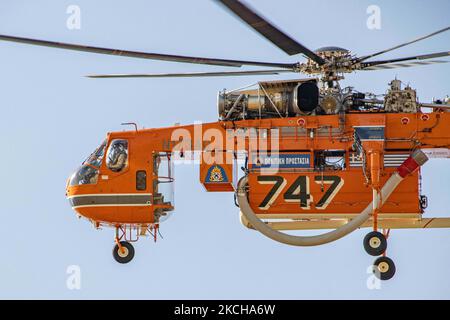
x: 53, y: 117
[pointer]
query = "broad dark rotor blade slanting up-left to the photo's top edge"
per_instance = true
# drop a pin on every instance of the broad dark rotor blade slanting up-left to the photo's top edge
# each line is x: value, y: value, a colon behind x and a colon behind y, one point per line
x: 268, y: 30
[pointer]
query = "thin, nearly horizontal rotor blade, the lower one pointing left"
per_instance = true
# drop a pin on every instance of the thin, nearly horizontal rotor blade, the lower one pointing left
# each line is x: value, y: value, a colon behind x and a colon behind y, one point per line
x: 191, y: 75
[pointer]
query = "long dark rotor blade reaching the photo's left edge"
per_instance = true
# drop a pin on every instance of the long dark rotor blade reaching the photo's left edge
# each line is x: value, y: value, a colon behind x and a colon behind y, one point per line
x: 145, y: 55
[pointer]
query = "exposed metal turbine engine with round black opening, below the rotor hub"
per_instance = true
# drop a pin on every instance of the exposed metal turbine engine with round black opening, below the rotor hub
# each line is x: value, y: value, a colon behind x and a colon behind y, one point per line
x: 276, y: 99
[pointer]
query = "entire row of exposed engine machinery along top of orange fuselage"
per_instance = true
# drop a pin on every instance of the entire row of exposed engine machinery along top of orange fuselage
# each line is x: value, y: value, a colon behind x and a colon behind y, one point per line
x: 291, y: 98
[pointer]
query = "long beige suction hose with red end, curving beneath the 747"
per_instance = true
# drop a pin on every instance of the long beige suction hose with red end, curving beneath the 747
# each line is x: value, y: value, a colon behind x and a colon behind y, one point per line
x: 417, y: 159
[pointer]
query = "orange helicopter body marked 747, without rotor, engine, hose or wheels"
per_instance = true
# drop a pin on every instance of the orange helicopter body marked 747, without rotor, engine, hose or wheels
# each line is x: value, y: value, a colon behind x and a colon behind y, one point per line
x: 299, y: 167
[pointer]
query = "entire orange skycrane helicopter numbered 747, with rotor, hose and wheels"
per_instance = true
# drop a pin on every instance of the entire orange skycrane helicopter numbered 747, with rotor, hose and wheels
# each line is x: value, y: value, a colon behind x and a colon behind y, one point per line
x: 315, y: 155
